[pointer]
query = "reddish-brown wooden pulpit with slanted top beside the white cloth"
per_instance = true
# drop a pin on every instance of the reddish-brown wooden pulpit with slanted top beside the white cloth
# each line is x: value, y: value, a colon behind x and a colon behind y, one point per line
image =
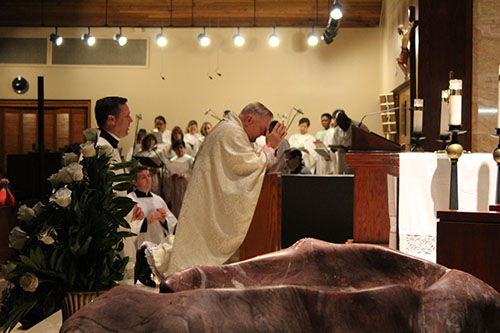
x: 373, y: 158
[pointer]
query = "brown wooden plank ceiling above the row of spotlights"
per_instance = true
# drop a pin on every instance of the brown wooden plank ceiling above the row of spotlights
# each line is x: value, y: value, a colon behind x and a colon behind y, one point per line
x: 185, y: 13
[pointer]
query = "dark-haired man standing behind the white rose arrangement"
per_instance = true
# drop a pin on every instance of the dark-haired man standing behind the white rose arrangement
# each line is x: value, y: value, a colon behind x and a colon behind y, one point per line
x: 113, y: 118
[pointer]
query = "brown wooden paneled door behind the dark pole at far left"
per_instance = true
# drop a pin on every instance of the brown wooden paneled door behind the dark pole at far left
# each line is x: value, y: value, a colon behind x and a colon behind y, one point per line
x: 64, y: 124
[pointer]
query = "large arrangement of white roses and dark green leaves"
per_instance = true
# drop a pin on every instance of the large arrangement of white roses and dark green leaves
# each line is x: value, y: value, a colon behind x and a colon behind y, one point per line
x: 70, y: 242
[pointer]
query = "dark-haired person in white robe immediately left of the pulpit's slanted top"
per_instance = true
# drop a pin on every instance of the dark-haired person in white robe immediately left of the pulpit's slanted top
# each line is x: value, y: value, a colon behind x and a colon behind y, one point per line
x: 342, y: 136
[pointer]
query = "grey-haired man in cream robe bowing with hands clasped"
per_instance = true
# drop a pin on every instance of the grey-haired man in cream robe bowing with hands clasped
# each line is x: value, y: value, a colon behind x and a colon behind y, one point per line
x: 222, y: 194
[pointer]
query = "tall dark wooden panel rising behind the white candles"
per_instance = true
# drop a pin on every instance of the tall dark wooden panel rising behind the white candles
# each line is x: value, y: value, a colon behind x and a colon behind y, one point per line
x: 445, y: 46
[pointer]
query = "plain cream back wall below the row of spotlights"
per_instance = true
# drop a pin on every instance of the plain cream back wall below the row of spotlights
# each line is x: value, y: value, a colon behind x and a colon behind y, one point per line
x: 344, y: 74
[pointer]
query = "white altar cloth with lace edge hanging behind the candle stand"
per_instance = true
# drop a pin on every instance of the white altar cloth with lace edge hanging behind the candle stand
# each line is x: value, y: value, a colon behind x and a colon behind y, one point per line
x: 424, y: 188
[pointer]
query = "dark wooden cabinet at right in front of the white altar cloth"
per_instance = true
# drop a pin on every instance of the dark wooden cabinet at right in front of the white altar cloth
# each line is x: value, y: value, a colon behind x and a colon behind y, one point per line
x: 469, y: 241
